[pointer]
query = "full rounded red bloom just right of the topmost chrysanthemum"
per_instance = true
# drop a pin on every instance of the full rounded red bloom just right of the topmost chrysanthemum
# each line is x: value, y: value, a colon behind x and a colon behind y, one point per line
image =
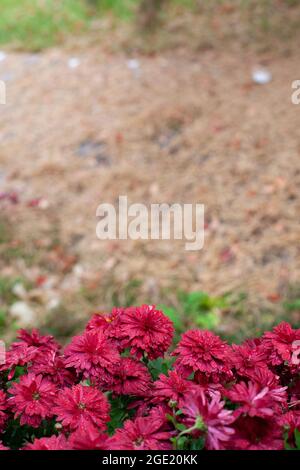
x: 202, y: 351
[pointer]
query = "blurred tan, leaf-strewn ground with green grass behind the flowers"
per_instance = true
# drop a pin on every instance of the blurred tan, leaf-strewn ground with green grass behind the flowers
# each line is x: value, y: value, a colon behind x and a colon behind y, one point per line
x: 164, y: 101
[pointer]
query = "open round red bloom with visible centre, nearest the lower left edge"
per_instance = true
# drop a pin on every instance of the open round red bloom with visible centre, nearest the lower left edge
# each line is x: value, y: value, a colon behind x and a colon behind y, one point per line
x: 32, y: 399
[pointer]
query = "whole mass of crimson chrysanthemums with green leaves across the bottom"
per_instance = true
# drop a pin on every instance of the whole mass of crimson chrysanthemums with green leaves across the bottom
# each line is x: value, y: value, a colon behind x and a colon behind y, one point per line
x: 122, y: 385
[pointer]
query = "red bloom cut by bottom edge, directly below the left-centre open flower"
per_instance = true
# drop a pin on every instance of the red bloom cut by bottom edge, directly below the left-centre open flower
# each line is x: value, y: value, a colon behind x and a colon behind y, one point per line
x: 87, y: 437
